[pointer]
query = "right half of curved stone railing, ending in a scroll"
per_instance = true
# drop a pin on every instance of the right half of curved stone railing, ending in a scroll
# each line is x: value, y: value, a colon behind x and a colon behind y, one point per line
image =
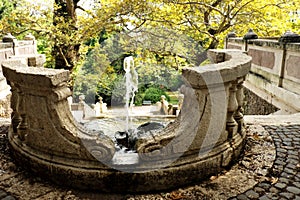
x: 211, y: 119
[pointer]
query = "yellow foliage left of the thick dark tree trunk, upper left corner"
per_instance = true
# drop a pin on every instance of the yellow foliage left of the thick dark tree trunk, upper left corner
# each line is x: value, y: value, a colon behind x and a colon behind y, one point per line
x: 26, y: 17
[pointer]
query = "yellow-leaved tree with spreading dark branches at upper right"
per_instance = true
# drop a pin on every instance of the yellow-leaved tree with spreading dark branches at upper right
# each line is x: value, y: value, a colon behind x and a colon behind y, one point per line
x: 208, y: 21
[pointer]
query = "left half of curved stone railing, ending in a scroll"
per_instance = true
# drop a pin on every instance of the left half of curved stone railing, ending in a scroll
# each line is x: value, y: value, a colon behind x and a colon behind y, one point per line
x: 43, y: 127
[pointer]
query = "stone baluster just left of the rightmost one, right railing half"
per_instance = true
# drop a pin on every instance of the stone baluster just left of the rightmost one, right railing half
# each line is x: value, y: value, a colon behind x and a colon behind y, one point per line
x: 231, y: 125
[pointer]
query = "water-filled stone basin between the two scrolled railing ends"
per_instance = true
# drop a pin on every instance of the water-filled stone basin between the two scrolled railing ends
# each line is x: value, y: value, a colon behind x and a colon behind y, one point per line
x: 125, y: 141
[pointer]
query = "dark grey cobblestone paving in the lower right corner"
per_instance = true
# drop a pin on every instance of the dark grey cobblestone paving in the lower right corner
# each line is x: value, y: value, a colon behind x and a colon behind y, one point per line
x: 286, y: 168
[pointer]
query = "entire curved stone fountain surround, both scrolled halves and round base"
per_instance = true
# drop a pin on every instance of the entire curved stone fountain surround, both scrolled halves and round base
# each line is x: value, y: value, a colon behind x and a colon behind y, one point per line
x: 207, y: 135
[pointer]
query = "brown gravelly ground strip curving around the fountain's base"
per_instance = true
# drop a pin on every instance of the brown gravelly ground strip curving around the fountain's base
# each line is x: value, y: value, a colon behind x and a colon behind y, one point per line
x: 253, y: 167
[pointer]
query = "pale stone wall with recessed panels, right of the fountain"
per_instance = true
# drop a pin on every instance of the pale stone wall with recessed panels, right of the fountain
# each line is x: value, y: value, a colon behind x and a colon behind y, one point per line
x: 275, y: 69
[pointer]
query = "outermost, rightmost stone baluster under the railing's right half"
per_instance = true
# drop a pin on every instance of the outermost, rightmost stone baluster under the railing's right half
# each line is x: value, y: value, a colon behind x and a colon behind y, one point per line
x: 238, y: 116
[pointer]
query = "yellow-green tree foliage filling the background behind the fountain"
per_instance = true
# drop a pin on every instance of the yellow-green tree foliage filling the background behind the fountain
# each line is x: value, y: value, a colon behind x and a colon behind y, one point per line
x: 163, y: 36
